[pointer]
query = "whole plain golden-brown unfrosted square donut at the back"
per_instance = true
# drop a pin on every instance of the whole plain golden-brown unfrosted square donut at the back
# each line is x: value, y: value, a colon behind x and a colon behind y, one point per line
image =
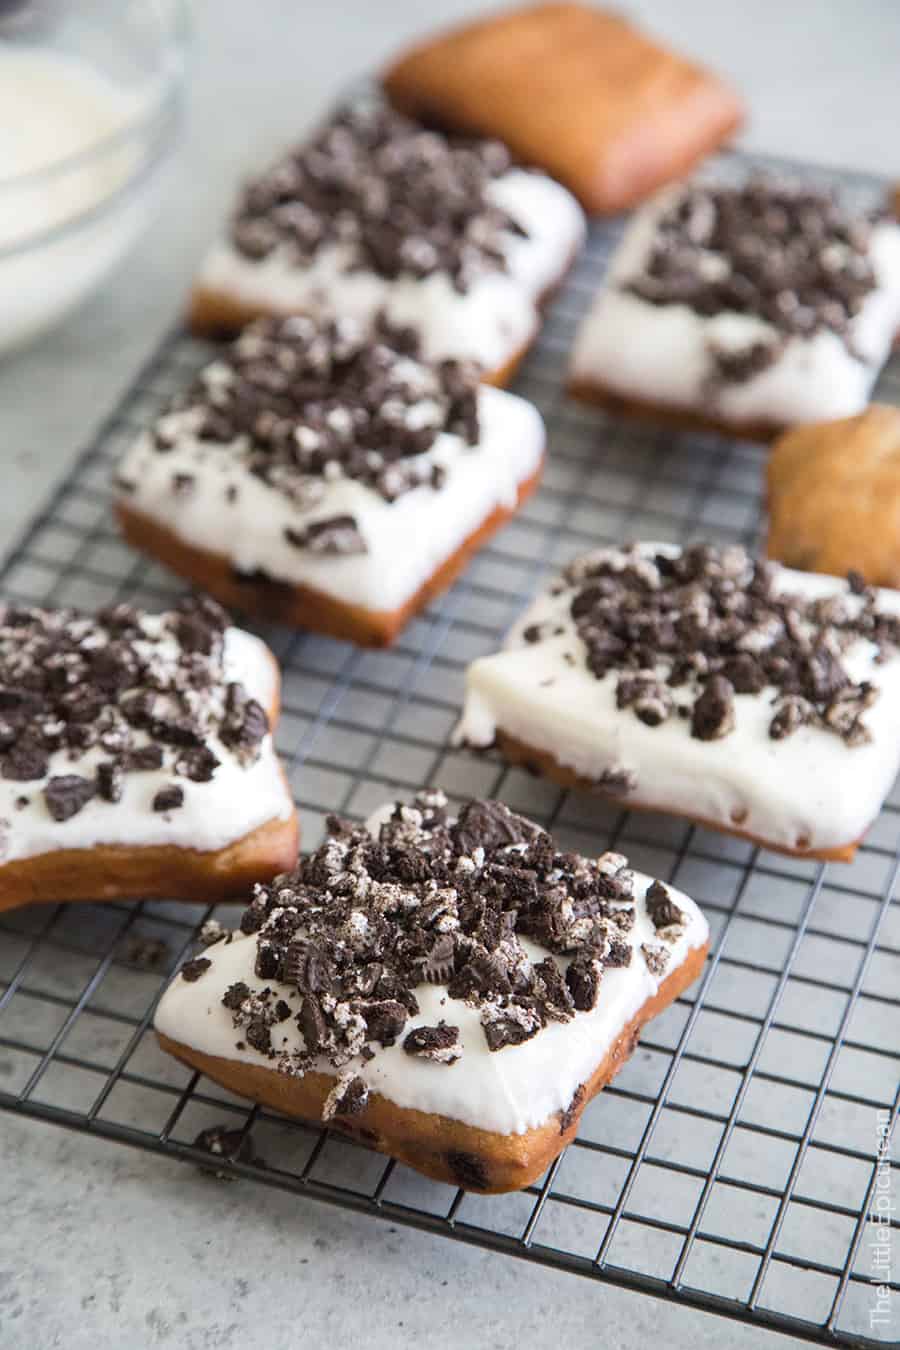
x: 575, y: 91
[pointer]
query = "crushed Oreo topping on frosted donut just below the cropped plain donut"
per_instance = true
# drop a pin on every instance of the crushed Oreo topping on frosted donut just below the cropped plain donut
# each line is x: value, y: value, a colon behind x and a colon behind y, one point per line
x: 714, y: 624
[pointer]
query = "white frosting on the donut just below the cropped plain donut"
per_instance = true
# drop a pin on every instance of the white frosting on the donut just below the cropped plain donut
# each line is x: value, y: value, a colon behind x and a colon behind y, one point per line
x: 810, y: 790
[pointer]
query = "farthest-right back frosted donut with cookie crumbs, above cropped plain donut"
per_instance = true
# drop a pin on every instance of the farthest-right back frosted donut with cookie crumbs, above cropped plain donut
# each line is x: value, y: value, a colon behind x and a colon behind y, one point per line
x: 744, y: 307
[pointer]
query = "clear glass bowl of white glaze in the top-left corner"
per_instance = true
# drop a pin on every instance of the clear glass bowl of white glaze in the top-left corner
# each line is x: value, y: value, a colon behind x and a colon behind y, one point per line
x: 91, y: 107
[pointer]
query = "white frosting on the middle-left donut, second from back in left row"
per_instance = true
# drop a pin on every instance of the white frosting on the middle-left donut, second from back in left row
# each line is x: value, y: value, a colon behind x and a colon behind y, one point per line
x: 408, y: 539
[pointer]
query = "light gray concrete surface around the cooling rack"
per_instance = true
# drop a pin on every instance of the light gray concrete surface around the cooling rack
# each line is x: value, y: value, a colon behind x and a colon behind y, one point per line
x: 105, y: 1248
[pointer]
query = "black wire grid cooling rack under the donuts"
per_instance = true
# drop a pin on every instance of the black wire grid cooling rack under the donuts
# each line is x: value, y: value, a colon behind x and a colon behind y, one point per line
x: 735, y: 1164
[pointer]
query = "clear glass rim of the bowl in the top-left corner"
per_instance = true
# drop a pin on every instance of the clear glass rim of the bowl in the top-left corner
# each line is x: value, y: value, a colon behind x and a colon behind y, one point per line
x: 163, y: 122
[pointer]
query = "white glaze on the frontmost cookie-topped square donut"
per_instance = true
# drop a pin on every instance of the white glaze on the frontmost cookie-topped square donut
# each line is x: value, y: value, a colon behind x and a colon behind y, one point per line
x: 507, y: 1091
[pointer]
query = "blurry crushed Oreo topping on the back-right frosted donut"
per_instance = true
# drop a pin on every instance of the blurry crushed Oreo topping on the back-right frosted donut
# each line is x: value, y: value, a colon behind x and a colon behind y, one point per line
x: 789, y: 254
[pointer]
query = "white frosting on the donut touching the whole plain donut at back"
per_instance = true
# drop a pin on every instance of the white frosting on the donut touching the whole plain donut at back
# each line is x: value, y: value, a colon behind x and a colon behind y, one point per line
x: 489, y: 323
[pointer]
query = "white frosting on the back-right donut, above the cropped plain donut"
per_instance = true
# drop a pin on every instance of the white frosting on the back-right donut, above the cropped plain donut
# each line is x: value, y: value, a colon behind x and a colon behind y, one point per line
x: 662, y: 353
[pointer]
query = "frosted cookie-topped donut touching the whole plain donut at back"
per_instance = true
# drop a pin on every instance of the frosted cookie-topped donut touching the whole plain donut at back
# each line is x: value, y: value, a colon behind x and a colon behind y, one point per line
x: 377, y: 215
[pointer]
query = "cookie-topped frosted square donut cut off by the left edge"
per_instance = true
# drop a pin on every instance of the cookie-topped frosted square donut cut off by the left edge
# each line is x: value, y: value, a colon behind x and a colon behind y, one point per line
x: 137, y: 757
